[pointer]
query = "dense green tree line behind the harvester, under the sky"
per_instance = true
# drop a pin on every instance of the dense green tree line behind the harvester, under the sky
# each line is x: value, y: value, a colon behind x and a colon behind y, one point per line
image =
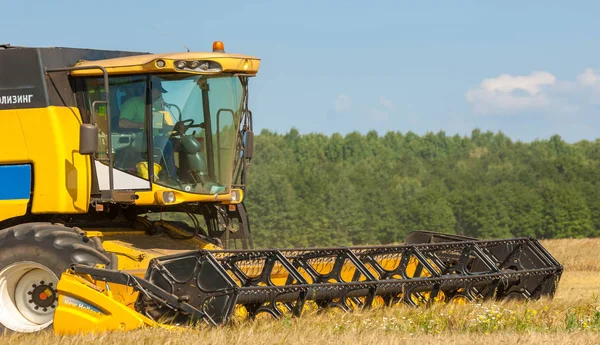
x: 319, y: 190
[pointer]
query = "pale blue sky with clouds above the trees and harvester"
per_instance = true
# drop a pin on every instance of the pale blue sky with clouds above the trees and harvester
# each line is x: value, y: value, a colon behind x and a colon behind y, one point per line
x: 530, y: 69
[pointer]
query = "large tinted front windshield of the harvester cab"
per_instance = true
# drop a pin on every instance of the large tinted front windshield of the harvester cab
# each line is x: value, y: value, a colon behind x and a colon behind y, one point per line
x: 206, y: 115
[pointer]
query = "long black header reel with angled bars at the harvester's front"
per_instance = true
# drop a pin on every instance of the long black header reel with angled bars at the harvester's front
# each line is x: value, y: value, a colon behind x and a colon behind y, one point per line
x: 282, y: 281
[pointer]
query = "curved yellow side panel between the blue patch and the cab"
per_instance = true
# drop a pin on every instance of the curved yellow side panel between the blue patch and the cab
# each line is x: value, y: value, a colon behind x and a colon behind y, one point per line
x: 62, y: 176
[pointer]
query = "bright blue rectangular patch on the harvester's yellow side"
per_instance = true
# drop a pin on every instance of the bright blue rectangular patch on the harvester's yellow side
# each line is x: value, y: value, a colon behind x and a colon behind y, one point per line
x: 15, y: 182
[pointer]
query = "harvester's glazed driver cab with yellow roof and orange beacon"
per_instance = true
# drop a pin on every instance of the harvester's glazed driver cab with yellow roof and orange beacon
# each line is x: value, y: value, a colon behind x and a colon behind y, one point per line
x: 168, y: 130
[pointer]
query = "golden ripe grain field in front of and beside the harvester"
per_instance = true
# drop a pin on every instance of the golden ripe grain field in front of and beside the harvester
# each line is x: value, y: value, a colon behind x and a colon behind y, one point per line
x: 572, y: 317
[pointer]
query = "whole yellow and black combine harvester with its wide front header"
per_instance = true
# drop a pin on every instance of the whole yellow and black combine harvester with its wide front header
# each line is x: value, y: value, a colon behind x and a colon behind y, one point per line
x: 122, y: 176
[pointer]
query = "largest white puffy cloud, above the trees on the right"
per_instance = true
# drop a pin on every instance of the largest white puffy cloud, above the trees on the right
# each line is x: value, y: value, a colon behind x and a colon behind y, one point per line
x: 508, y: 93
